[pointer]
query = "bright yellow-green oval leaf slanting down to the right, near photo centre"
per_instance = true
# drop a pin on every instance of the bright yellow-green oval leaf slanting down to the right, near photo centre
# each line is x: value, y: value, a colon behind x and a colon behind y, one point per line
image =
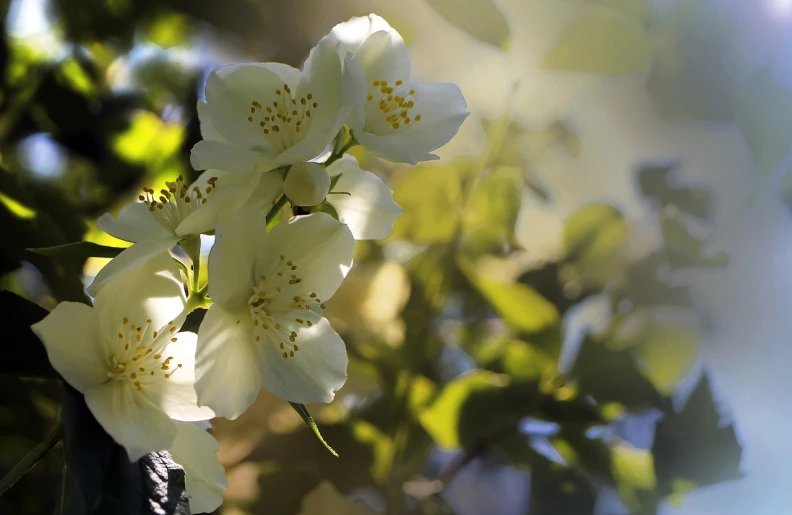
x: 520, y: 306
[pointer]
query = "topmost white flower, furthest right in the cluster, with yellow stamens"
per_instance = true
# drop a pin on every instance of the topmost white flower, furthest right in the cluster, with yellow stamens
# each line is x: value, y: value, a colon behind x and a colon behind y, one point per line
x: 397, y: 119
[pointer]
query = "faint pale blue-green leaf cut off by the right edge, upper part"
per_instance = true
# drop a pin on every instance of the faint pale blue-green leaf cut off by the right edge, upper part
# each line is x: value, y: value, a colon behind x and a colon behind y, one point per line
x: 764, y: 114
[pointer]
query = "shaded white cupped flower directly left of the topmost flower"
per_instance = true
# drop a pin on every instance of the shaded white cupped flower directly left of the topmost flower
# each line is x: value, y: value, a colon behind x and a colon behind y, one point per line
x: 259, y: 116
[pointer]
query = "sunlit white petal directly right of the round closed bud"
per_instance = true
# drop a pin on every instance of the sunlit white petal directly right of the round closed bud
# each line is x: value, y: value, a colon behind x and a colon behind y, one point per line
x: 369, y: 210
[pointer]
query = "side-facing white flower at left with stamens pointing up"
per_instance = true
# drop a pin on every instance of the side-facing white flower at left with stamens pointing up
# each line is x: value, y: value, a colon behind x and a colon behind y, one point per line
x: 161, y: 219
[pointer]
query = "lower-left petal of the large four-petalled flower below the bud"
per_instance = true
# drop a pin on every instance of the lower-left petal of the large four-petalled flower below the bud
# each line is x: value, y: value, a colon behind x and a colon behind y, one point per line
x: 226, y: 368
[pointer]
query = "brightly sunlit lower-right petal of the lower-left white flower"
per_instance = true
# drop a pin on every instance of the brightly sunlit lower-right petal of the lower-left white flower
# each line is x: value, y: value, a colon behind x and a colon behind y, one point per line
x: 176, y: 395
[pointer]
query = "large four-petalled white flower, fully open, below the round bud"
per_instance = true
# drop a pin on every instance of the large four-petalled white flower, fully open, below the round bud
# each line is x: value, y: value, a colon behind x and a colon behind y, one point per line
x: 265, y: 327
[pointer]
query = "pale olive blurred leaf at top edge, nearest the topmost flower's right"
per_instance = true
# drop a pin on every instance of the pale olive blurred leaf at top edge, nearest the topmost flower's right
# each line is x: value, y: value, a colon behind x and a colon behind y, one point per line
x: 480, y: 19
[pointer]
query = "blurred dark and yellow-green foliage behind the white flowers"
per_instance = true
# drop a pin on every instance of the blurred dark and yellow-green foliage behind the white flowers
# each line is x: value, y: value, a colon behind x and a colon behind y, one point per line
x: 459, y: 354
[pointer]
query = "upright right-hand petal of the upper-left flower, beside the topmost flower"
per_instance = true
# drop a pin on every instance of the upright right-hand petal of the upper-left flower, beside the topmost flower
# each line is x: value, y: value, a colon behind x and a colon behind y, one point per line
x: 323, y: 79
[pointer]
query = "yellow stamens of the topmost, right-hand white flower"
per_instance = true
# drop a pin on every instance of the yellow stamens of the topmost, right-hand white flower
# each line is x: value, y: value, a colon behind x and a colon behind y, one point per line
x: 388, y: 107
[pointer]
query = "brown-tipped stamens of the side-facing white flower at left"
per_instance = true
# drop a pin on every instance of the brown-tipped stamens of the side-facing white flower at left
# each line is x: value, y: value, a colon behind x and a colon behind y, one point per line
x: 176, y: 202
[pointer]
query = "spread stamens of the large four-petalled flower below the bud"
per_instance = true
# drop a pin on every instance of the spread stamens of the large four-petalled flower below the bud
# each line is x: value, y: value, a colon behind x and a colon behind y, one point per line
x: 279, y: 305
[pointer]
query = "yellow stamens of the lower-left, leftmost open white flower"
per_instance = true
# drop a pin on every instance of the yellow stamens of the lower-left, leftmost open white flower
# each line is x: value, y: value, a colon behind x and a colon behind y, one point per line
x: 138, y: 354
